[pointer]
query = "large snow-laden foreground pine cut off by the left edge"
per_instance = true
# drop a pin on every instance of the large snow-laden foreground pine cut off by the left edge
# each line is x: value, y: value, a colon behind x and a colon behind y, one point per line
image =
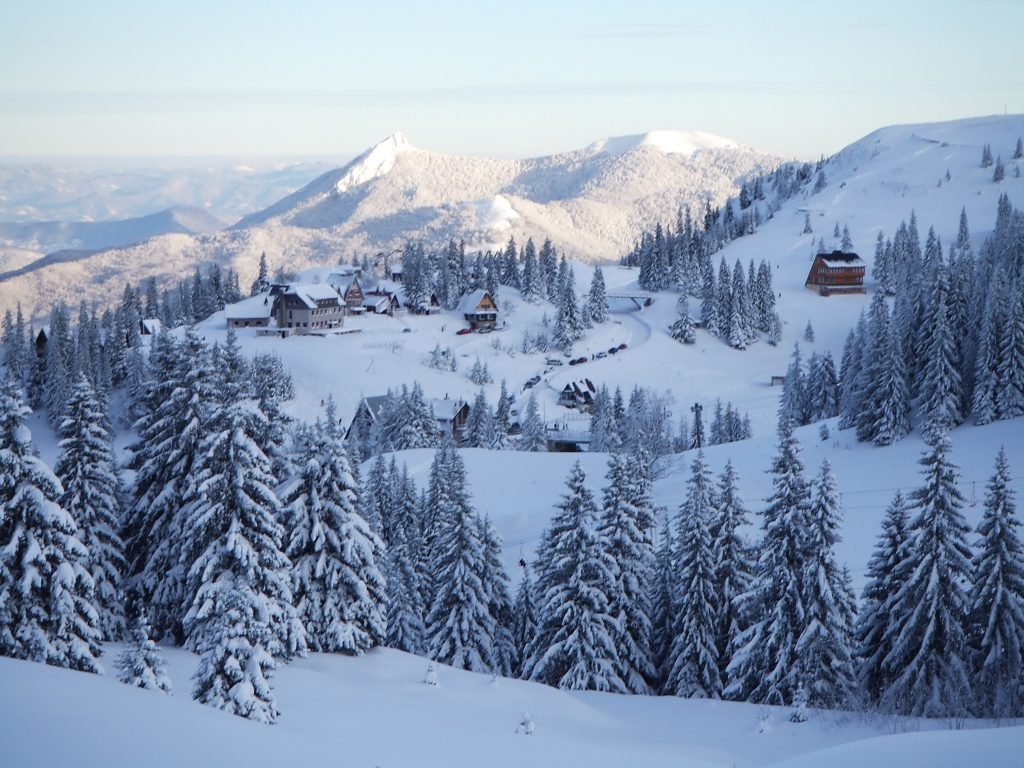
x: 47, y: 609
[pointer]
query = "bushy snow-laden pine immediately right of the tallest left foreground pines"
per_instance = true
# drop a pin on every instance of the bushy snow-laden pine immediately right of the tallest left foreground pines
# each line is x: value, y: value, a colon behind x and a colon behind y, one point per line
x: 337, y: 584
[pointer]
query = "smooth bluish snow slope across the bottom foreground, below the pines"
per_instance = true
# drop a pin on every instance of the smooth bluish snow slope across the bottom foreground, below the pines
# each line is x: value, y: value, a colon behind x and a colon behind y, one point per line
x: 376, y: 711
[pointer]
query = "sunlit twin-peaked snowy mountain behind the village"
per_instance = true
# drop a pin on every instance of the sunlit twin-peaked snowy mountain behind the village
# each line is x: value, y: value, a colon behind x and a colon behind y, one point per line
x: 593, y: 200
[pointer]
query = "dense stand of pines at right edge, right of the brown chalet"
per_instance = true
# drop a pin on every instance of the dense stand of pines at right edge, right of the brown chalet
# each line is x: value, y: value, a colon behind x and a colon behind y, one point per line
x: 953, y: 345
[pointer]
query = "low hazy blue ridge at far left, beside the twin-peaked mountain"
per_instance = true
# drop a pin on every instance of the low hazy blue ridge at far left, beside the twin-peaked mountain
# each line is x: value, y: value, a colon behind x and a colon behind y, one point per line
x: 49, y: 237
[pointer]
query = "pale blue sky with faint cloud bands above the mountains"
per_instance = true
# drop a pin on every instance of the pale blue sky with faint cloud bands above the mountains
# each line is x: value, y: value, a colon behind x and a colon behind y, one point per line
x: 508, y: 79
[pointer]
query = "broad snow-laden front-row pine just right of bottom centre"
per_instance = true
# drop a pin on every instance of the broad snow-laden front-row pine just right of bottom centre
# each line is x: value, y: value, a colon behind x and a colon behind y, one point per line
x: 575, y: 647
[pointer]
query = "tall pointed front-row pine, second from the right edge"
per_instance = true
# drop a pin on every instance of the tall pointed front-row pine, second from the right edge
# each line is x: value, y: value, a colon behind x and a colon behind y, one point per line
x: 929, y: 663
